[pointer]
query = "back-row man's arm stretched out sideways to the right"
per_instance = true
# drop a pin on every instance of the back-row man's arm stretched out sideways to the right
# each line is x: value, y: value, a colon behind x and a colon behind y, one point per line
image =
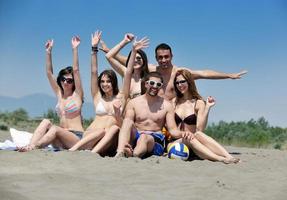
x: 210, y: 74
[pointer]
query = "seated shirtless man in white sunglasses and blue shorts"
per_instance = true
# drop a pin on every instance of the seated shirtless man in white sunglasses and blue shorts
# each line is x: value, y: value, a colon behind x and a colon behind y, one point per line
x: 145, y: 117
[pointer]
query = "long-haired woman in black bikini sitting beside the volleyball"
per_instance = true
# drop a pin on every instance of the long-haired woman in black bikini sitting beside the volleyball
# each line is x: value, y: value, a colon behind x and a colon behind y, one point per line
x: 191, y: 115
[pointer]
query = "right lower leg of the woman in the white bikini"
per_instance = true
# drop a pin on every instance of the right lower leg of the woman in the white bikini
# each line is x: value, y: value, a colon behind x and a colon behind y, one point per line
x: 107, y: 140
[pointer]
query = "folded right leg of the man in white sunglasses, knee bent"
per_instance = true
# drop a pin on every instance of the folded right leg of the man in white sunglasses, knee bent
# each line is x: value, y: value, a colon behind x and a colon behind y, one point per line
x: 144, y: 145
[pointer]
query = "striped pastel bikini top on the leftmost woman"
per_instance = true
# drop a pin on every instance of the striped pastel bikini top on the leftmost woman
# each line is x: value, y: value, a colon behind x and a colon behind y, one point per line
x: 70, y: 108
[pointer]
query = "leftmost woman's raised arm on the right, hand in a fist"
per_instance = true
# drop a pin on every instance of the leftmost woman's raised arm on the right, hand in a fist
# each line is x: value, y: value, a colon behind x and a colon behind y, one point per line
x: 78, y: 84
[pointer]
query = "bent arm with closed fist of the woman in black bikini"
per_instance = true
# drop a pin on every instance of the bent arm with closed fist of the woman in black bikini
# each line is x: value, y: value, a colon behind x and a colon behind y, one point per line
x: 203, y: 111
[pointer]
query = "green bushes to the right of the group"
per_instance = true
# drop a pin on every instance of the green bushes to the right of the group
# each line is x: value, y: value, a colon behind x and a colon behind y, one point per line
x: 253, y: 133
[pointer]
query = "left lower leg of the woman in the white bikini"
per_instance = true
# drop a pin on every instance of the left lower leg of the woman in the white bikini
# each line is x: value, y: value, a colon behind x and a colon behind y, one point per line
x: 89, y: 139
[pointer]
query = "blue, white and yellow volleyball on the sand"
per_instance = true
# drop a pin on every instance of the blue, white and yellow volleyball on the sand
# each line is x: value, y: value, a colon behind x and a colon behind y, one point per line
x: 178, y: 151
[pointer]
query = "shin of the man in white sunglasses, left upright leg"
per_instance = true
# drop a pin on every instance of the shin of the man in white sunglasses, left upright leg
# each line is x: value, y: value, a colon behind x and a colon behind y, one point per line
x: 125, y: 136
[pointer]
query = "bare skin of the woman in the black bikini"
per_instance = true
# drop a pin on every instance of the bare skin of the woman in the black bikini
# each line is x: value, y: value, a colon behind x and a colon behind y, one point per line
x: 204, y: 146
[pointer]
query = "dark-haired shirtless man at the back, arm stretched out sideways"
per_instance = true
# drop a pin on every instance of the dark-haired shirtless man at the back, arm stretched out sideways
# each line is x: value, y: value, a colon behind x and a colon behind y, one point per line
x: 163, y: 55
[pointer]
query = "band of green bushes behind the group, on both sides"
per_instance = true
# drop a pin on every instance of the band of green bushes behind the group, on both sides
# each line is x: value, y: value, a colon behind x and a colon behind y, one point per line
x: 254, y: 133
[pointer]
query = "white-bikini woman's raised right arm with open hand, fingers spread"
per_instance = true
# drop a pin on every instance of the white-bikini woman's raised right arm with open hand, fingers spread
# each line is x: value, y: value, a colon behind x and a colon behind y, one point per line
x: 137, y: 45
